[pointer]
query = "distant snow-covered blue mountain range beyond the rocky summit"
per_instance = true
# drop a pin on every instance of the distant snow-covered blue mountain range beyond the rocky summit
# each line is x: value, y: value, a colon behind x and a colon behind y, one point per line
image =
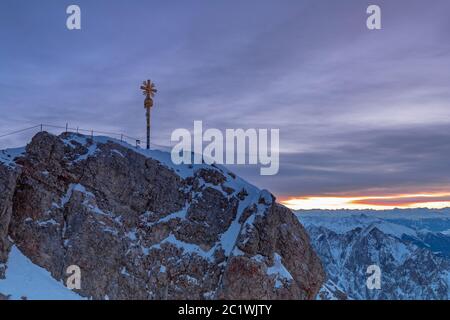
x: 411, y: 247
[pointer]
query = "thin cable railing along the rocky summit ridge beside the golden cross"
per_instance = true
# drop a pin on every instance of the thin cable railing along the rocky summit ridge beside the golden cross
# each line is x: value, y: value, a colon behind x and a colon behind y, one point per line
x: 88, y: 132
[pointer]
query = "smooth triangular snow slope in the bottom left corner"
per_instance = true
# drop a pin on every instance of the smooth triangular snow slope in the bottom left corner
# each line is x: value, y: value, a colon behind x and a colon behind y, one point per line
x: 25, y: 279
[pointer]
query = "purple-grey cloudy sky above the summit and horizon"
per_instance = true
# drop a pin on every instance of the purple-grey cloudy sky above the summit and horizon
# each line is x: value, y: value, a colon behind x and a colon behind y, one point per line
x: 363, y: 115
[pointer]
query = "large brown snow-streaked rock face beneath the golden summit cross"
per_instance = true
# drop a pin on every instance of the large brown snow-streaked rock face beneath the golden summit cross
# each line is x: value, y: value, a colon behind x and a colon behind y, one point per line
x: 141, y: 228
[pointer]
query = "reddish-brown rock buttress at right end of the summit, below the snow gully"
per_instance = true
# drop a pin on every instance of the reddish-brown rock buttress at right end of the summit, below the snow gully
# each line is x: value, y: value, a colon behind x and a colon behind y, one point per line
x: 275, y: 235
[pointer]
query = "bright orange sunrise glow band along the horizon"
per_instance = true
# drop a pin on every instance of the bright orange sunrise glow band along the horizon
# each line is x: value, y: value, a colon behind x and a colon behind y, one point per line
x: 405, y: 201
